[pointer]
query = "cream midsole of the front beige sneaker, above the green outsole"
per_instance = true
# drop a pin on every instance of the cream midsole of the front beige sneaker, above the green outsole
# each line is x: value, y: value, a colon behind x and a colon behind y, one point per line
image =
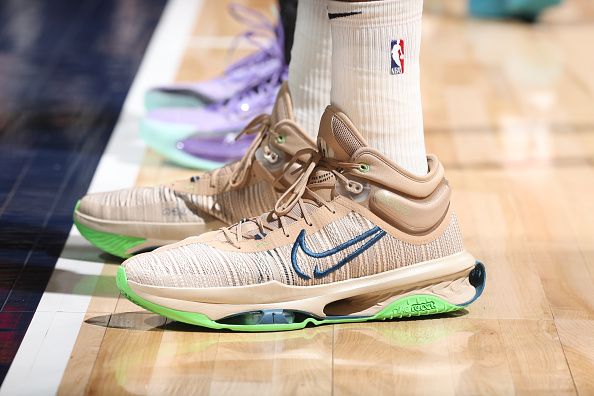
x: 446, y: 277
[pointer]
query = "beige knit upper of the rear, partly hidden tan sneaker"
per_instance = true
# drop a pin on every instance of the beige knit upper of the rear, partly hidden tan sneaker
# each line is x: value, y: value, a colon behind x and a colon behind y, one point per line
x: 241, y: 189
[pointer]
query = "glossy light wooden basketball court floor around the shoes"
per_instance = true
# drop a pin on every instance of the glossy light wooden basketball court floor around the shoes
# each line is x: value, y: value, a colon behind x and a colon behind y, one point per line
x: 509, y: 109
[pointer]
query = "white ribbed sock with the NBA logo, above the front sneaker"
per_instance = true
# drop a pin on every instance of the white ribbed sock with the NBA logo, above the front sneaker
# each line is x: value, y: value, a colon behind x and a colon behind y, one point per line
x: 382, y: 96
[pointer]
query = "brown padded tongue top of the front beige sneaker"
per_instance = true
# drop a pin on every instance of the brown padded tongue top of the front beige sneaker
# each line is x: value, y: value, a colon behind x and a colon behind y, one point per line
x: 338, y: 138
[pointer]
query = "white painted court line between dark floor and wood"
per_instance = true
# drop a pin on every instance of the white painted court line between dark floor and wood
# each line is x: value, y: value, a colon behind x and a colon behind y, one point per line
x: 40, y: 362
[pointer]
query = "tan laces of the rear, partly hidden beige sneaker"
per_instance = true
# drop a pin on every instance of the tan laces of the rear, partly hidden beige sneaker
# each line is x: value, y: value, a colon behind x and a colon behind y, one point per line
x: 264, y: 131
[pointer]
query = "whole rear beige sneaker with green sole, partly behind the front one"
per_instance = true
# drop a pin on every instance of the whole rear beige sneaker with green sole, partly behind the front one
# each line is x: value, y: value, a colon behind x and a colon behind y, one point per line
x: 126, y: 222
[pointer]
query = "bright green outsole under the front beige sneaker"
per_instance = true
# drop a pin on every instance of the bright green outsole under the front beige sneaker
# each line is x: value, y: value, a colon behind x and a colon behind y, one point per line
x: 406, y: 307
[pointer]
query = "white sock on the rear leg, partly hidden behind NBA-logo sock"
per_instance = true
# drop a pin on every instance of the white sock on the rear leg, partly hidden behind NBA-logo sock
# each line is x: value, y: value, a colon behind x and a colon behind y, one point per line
x: 309, y: 70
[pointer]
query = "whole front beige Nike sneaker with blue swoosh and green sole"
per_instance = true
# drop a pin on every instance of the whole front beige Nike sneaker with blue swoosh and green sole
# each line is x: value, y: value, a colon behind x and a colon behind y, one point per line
x: 355, y: 238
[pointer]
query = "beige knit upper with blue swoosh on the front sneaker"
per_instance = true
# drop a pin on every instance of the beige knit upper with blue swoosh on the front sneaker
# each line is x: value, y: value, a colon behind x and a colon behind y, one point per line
x: 350, y: 213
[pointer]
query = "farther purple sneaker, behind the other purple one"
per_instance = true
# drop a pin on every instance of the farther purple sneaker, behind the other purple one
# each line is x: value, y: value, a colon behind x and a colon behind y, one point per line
x: 238, y: 76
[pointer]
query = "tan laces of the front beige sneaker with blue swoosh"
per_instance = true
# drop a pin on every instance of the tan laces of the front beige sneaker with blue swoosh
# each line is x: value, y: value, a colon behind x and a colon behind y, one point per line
x: 294, y: 195
